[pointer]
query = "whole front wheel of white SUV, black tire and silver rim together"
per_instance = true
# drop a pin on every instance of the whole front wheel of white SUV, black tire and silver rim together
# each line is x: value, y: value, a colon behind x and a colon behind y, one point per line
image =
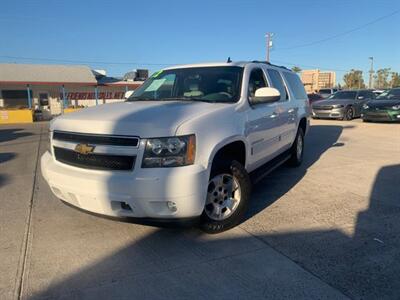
x: 228, y: 195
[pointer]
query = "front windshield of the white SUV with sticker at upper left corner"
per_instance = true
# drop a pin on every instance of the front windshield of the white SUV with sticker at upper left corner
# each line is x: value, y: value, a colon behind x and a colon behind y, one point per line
x: 209, y: 84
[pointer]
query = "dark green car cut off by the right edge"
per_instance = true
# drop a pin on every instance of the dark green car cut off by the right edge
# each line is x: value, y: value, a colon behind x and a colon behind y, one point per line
x: 385, y: 107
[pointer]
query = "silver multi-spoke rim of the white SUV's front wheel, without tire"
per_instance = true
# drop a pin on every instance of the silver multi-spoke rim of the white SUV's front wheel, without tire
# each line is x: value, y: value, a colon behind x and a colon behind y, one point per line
x: 223, y: 197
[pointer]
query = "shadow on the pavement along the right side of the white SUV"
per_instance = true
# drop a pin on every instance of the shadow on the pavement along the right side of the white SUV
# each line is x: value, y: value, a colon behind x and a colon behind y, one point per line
x: 319, y: 139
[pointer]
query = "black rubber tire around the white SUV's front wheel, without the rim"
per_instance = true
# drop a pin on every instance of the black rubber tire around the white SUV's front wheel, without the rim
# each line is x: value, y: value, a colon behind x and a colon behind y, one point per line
x: 235, y: 169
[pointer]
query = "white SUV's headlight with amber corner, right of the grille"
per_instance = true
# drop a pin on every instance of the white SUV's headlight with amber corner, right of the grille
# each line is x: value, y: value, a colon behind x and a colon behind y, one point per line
x: 169, y: 152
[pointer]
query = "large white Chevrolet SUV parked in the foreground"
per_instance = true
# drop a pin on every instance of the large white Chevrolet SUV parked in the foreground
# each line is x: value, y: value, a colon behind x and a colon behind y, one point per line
x: 183, y: 146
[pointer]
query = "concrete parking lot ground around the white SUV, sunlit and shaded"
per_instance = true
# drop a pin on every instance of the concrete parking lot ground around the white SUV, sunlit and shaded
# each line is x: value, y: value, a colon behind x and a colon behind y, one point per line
x: 328, y: 230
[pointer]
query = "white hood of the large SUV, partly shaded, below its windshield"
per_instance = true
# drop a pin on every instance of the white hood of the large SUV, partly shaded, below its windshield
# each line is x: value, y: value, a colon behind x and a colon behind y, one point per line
x: 140, y: 118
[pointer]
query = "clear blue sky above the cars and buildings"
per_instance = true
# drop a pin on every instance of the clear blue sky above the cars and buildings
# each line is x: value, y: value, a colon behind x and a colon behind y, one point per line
x: 119, y: 36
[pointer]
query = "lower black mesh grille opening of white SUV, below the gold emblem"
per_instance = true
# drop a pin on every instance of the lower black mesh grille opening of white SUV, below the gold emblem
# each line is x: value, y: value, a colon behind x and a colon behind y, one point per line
x: 94, y: 161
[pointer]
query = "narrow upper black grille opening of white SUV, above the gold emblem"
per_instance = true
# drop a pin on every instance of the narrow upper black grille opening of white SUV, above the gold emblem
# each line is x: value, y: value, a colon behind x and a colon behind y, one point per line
x: 97, y: 139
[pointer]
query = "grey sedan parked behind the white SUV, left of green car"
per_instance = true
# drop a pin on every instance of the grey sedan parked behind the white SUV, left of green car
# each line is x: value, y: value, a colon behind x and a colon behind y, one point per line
x: 343, y: 105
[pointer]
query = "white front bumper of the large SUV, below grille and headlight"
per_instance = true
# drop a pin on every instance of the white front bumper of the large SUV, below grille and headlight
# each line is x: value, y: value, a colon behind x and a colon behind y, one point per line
x: 159, y: 193
